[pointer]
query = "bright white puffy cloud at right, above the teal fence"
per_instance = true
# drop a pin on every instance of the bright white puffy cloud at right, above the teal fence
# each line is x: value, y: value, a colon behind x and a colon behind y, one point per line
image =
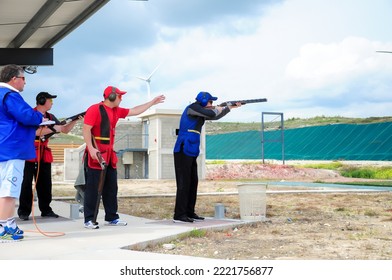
x: 320, y: 65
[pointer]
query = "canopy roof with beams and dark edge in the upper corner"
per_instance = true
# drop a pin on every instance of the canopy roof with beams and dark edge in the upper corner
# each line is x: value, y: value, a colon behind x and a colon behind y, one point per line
x: 30, y: 28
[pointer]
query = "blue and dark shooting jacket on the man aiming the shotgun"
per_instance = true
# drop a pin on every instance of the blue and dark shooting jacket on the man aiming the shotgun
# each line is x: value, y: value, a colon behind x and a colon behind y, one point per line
x: 191, y: 123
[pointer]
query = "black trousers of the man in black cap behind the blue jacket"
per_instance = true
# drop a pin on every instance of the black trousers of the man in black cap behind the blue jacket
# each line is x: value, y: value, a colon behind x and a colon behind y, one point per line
x: 43, y: 187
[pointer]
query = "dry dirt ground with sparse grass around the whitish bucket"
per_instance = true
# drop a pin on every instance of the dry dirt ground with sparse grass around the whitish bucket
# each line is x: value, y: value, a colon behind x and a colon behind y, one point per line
x: 319, y: 225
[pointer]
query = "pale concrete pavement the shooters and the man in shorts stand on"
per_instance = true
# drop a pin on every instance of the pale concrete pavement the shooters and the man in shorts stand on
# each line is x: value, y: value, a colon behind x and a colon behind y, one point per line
x: 65, y: 238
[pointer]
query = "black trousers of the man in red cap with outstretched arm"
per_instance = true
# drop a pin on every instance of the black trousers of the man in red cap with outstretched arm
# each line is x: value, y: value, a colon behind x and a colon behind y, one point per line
x: 109, y: 194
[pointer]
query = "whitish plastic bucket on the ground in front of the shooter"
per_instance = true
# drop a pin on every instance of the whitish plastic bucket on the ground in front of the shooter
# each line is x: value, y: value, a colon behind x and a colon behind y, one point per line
x: 252, y: 198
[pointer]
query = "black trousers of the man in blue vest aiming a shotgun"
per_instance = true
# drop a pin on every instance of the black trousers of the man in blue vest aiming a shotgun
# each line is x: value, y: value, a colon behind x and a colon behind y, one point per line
x: 187, y: 181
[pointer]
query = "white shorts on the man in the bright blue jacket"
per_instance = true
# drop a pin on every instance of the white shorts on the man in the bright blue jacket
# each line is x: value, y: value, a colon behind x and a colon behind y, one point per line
x: 11, y: 177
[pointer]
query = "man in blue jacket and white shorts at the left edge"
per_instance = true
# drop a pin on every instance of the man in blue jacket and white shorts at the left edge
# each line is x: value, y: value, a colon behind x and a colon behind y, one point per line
x: 18, y: 122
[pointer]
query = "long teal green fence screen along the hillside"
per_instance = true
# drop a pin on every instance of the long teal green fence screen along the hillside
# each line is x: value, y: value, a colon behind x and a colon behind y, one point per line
x: 329, y: 142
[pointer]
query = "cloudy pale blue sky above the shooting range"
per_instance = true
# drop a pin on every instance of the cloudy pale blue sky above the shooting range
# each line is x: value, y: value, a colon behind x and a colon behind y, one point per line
x: 307, y: 57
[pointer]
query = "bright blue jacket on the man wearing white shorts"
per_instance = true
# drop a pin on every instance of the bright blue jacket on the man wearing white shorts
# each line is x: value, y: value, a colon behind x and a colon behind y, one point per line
x: 18, y: 123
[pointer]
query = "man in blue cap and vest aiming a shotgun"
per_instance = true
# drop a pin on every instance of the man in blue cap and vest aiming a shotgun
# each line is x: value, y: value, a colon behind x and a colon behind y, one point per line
x: 186, y: 151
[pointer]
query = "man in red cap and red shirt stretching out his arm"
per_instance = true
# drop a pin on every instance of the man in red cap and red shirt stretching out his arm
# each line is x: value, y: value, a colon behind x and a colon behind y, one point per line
x: 98, y: 132
